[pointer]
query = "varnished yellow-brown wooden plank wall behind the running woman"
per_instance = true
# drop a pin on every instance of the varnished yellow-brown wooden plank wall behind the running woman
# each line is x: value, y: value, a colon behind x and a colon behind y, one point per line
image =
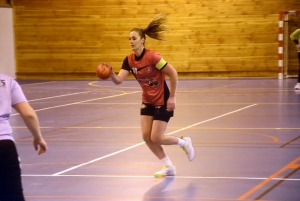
x: 67, y: 39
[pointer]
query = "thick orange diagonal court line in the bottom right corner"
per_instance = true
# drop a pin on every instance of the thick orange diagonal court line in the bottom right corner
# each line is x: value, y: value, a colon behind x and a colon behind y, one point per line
x: 291, y: 165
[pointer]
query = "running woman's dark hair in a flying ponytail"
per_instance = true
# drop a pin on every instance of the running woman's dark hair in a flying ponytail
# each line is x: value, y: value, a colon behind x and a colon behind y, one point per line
x: 155, y: 29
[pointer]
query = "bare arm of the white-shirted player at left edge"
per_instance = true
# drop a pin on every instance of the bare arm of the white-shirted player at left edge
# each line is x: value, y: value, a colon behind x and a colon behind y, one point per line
x: 31, y: 120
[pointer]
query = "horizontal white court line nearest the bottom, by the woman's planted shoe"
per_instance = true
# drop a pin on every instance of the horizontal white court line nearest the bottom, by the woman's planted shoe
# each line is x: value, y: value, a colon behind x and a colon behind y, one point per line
x: 177, y: 177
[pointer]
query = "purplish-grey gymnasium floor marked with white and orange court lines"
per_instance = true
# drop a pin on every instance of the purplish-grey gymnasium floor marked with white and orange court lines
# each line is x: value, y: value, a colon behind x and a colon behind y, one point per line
x: 246, y: 133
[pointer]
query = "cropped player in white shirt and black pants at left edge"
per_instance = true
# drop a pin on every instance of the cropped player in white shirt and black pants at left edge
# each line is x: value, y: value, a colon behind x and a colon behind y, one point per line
x: 11, y: 95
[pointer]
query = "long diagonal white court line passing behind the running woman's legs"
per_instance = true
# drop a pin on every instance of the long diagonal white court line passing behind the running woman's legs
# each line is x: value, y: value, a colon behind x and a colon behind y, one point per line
x: 122, y: 150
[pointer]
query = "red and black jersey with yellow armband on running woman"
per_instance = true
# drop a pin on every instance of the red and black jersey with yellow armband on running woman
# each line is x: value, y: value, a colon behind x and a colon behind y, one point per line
x: 147, y: 71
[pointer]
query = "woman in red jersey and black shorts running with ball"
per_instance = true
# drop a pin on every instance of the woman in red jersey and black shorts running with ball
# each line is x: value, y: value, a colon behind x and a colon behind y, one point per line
x: 158, y: 100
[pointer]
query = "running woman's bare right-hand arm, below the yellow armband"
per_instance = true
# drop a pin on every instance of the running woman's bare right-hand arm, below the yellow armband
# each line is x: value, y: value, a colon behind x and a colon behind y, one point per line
x: 172, y: 73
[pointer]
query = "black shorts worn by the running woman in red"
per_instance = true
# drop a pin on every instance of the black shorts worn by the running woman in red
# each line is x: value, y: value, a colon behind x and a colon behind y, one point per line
x: 158, y: 112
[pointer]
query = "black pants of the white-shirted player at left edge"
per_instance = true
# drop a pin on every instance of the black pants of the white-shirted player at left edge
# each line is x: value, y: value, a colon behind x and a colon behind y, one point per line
x: 10, y: 173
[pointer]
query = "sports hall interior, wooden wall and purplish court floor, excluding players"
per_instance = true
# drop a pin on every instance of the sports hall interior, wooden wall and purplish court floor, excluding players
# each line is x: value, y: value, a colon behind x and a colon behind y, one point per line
x: 237, y: 70
